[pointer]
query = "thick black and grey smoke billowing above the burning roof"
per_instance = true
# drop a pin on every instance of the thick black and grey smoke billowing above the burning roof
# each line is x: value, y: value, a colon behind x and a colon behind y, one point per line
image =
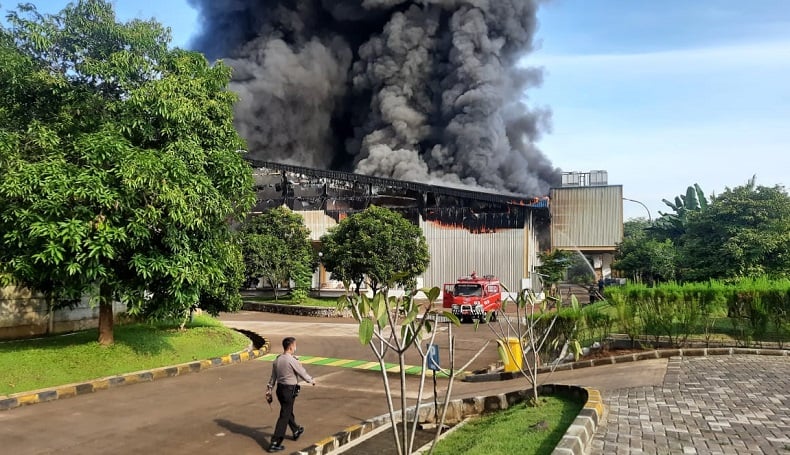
x: 426, y: 90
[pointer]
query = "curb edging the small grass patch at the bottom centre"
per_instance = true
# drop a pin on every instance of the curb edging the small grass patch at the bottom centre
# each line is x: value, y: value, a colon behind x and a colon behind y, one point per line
x: 579, y: 434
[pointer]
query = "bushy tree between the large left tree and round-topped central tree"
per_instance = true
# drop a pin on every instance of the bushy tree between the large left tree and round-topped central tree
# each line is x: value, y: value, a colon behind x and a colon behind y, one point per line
x: 277, y: 246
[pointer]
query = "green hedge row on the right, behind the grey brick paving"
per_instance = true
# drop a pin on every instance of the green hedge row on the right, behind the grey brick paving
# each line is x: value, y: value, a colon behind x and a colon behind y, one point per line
x: 748, y: 310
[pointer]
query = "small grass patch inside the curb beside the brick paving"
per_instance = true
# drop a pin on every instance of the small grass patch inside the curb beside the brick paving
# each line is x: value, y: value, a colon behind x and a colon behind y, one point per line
x: 520, y: 429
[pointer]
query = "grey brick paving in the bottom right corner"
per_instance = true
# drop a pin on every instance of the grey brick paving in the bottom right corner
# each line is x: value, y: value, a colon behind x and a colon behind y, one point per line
x: 707, y: 405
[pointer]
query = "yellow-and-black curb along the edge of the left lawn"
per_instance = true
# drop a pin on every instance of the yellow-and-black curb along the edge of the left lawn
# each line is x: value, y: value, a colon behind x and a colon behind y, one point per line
x: 72, y: 390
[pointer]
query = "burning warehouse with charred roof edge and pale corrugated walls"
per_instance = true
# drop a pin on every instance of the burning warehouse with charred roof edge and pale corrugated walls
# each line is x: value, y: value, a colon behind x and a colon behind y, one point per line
x: 491, y: 233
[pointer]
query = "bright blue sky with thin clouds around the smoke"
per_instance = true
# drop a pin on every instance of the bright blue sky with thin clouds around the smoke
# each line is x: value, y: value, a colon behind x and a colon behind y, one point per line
x: 662, y: 95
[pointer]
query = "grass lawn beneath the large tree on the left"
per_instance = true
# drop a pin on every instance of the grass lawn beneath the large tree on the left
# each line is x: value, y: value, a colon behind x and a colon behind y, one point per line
x: 27, y: 365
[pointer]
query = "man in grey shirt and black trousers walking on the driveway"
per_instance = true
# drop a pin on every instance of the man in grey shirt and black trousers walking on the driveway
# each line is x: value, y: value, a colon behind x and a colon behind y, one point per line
x: 286, y: 372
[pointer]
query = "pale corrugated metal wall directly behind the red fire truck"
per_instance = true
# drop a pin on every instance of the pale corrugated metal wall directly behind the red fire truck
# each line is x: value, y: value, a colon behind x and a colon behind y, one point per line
x: 457, y: 252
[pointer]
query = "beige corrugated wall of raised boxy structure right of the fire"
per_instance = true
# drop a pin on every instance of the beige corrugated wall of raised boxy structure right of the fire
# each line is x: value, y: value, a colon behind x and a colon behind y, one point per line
x: 587, y: 218
